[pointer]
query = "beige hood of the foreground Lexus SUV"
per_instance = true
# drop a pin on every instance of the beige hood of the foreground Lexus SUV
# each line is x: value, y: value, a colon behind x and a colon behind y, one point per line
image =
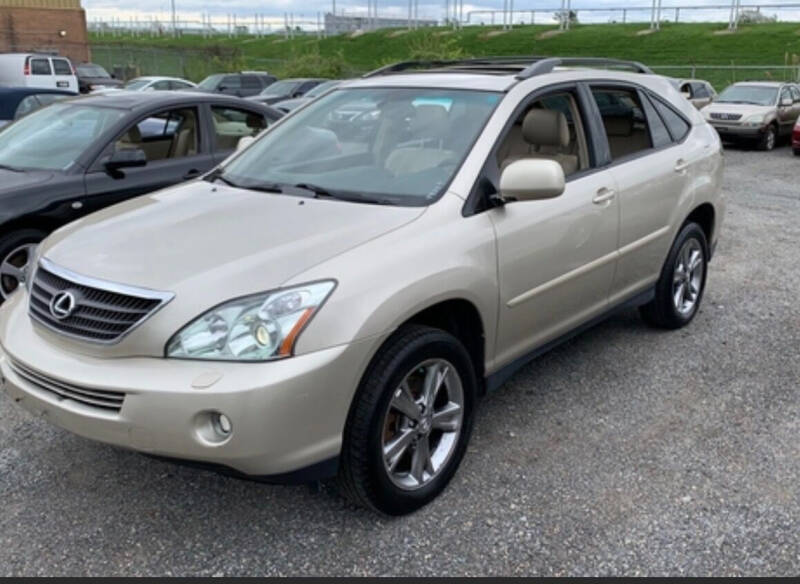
x: 216, y: 242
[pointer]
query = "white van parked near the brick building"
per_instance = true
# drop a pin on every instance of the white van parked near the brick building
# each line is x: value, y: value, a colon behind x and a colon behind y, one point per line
x: 37, y: 70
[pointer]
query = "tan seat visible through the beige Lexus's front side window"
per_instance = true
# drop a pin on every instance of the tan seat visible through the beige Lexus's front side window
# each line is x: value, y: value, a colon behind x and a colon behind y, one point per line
x: 545, y: 135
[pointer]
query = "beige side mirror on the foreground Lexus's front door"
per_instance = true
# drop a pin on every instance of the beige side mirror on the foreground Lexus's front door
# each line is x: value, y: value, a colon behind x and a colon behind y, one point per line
x: 532, y: 179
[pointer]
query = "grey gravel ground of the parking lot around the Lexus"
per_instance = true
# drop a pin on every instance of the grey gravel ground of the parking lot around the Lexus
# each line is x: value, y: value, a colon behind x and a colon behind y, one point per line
x: 626, y: 451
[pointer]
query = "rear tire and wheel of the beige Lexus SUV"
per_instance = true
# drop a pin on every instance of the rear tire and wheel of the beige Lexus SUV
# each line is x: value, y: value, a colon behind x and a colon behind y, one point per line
x: 680, y: 288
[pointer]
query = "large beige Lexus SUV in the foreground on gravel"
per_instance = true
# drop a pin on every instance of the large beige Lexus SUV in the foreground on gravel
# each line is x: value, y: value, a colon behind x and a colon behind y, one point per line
x: 295, y: 316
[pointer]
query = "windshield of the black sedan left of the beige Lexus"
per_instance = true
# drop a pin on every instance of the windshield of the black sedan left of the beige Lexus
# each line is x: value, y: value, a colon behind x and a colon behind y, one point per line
x: 54, y: 137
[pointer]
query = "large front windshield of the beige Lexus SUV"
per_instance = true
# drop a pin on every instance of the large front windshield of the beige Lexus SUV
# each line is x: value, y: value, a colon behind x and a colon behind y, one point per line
x: 402, y: 147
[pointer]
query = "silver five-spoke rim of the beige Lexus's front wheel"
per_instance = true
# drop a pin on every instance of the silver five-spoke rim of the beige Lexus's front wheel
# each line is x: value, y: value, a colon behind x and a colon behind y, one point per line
x: 422, y: 424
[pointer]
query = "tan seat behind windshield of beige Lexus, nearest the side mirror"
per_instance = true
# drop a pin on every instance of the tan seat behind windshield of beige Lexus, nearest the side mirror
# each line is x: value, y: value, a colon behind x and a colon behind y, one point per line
x: 429, y: 126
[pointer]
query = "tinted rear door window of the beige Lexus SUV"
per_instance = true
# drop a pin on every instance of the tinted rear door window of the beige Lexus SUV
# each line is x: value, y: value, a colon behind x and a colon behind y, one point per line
x: 624, y: 121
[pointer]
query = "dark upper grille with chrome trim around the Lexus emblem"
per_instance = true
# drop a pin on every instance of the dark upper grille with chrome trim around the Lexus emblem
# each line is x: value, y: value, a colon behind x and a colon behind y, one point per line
x: 103, y: 312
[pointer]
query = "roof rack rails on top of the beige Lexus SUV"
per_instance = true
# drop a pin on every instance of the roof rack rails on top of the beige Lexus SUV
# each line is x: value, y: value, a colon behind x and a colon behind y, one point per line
x: 524, y: 67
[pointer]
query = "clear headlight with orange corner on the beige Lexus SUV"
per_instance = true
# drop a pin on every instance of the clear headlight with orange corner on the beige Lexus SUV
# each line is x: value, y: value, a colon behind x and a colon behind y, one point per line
x: 261, y: 327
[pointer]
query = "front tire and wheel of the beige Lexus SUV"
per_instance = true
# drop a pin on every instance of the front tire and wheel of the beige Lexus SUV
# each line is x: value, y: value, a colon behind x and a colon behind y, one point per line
x: 410, y: 422
